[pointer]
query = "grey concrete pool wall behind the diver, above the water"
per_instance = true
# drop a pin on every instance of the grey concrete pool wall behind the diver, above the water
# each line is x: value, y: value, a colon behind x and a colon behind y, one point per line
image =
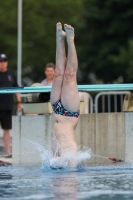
x: 107, y: 134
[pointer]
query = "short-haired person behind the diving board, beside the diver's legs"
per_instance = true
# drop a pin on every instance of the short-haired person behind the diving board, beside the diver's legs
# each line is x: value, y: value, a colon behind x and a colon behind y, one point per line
x: 49, y: 73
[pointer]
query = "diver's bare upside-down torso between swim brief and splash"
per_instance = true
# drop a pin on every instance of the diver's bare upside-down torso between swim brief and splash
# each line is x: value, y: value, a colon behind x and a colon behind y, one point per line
x: 63, y: 130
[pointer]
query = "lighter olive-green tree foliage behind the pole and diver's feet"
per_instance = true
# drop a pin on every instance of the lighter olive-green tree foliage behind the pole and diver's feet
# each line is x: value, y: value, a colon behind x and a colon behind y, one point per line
x: 39, y: 19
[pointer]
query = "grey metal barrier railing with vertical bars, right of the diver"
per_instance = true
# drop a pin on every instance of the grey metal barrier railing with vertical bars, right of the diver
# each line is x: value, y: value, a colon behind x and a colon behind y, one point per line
x: 108, y: 94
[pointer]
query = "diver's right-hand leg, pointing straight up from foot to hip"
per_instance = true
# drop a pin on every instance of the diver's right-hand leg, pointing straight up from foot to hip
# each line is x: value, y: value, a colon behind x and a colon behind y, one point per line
x: 69, y: 95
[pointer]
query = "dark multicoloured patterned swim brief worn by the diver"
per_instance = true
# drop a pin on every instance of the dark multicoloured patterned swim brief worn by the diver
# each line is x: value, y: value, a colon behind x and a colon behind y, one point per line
x: 60, y: 110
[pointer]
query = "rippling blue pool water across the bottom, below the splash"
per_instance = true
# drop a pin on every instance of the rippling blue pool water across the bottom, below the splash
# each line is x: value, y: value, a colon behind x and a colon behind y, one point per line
x: 94, y: 182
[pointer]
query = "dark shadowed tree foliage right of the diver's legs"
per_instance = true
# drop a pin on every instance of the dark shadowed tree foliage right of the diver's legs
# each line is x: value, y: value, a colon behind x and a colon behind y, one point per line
x: 105, y: 36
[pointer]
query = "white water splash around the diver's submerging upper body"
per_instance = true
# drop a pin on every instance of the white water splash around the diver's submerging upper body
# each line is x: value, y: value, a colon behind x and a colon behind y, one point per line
x: 68, y: 155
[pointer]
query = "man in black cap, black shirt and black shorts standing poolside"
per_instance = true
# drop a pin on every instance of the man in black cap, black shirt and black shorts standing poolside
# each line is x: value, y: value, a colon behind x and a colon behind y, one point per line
x: 7, y: 79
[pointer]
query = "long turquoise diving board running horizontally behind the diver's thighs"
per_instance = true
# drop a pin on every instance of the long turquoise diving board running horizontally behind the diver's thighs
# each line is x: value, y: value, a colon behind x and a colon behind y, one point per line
x: 89, y: 88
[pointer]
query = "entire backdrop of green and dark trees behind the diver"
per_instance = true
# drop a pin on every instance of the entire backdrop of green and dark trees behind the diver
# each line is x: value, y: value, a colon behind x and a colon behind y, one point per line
x: 104, y: 35
